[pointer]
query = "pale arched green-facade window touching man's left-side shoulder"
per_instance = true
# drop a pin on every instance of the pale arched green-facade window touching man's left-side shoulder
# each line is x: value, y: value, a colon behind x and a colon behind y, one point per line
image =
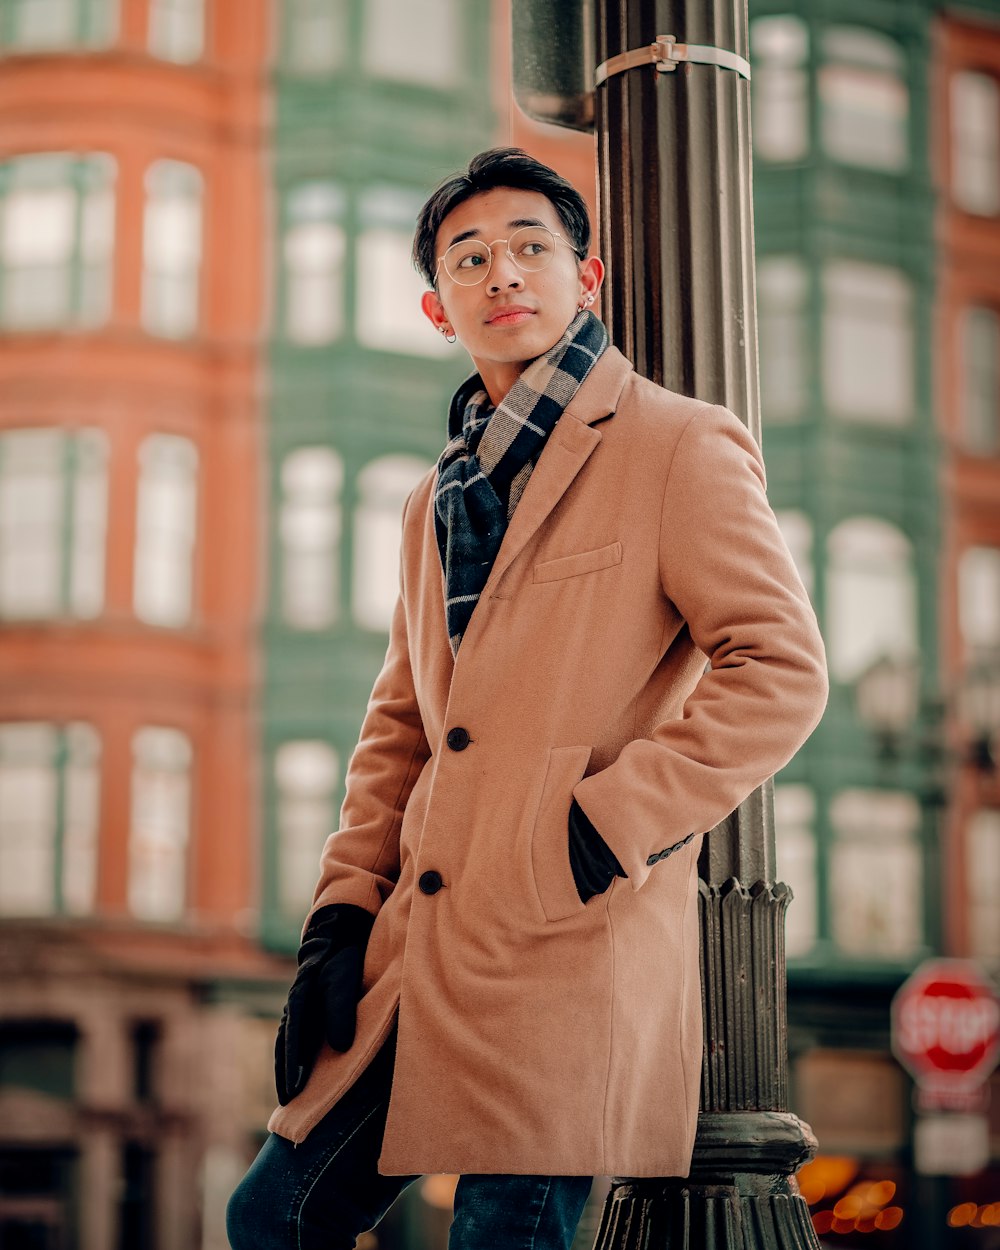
x: 383, y: 488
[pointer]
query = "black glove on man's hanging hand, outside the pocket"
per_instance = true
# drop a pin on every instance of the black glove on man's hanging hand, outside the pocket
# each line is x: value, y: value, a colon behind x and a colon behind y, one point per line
x: 323, y: 999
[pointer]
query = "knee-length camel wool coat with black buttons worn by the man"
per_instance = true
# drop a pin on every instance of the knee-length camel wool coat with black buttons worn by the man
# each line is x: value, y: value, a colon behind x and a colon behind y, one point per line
x: 538, y: 1034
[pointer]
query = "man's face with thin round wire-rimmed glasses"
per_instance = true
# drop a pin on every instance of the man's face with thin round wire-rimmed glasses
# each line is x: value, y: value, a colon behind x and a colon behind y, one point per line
x: 512, y: 317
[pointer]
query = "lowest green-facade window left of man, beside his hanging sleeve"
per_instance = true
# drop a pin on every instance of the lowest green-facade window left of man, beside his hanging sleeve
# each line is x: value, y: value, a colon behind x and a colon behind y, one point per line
x: 307, y: 778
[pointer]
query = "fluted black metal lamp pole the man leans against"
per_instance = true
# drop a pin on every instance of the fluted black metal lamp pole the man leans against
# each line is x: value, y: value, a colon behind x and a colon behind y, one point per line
x: 678, y: 239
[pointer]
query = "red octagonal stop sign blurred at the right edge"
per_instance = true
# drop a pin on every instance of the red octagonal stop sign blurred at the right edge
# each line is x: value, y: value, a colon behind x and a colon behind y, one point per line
x: 947, y: 1024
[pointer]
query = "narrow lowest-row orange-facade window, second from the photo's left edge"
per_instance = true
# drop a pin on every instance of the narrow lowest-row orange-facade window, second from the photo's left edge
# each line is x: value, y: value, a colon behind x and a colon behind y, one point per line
x: 161, y: 824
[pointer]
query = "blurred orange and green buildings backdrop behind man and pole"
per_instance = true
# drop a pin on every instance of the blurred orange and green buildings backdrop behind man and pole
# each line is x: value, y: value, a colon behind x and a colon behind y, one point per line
x: 217, y: 391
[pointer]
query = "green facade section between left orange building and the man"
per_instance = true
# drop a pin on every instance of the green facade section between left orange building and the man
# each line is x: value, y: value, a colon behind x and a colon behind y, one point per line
x: 374, y: 103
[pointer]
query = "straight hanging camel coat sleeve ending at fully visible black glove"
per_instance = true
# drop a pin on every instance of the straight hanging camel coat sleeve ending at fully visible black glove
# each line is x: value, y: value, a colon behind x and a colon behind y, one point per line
x: 361, y: 861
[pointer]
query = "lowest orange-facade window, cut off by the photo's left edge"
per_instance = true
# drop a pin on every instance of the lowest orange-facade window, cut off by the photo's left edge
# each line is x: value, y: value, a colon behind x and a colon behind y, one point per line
x: 49, y: 812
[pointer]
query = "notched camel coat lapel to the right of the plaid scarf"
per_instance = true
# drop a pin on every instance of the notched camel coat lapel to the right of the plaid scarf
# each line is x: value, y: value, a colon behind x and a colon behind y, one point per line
x: 567, y: 452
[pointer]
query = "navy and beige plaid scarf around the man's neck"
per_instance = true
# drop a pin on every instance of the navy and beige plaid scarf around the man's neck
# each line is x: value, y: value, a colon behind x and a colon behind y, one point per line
x: 491, y: 456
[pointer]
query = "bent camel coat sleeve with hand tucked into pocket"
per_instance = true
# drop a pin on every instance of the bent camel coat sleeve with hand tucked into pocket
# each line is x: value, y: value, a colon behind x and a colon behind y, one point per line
x: 727, y: 569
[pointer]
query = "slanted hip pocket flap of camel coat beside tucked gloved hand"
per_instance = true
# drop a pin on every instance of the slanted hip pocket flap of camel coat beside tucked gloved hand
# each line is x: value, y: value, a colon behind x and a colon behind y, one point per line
x: 551, y: 837
